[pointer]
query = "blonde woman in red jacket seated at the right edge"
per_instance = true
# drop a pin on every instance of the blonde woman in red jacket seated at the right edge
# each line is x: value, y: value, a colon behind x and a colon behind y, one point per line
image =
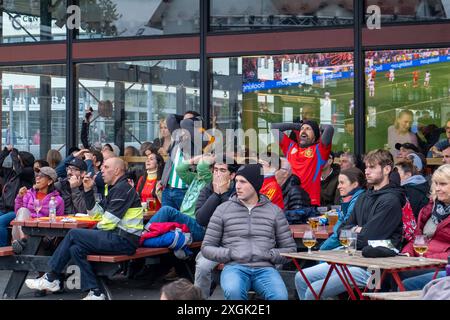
x: 433, y: 222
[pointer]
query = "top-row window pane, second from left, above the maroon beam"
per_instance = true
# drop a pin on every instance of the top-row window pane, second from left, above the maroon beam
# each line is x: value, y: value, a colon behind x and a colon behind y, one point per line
x: 134, y: 18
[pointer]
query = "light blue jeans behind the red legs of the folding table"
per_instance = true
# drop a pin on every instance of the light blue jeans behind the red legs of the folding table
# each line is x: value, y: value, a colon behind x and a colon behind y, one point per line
x: 316, y: 276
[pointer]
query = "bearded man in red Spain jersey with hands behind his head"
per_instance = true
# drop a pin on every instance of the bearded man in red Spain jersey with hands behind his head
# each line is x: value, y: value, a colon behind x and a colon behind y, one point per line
x: 307, y: 157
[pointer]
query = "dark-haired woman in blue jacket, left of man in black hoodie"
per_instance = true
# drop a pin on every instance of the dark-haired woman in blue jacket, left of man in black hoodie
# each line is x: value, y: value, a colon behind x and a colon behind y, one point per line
x: 351, y: 184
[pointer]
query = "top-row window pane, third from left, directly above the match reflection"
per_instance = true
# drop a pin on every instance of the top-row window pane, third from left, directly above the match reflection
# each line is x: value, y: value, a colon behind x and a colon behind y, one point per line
x: 233, y: 15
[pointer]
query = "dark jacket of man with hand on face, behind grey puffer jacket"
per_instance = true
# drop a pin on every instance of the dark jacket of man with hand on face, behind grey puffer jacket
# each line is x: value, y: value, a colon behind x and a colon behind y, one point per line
x: 208, y: 201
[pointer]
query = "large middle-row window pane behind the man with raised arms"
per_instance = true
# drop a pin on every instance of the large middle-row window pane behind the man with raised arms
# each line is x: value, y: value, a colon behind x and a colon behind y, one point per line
x: 253, y: 92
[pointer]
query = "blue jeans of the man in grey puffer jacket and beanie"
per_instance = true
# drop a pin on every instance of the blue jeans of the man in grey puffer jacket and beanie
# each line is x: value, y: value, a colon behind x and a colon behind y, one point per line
x: 236, y: 280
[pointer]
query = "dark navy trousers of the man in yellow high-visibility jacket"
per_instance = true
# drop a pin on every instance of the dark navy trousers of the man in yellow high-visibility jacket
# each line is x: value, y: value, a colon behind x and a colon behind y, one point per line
x: 78, y: 243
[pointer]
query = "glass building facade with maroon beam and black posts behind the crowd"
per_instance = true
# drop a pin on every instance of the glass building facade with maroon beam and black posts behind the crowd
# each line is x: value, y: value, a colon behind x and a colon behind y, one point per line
x: 241, y: 64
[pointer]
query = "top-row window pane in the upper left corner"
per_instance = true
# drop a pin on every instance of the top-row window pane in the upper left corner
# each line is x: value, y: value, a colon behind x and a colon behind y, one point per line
x: 33, y: 20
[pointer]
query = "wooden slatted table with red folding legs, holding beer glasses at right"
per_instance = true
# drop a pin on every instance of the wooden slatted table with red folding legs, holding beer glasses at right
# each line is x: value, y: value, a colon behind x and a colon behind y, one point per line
x: 339, y: 260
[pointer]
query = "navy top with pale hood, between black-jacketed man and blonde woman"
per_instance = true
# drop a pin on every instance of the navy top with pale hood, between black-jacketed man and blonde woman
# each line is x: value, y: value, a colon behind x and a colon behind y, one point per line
x: 417, y: 189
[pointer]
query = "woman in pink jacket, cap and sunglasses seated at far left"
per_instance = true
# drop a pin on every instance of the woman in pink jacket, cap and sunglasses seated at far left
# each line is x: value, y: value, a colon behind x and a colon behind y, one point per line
x: 34, y: 203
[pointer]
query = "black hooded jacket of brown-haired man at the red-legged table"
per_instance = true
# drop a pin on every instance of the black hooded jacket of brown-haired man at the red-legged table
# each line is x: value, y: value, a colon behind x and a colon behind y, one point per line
x: 379, y: 213
